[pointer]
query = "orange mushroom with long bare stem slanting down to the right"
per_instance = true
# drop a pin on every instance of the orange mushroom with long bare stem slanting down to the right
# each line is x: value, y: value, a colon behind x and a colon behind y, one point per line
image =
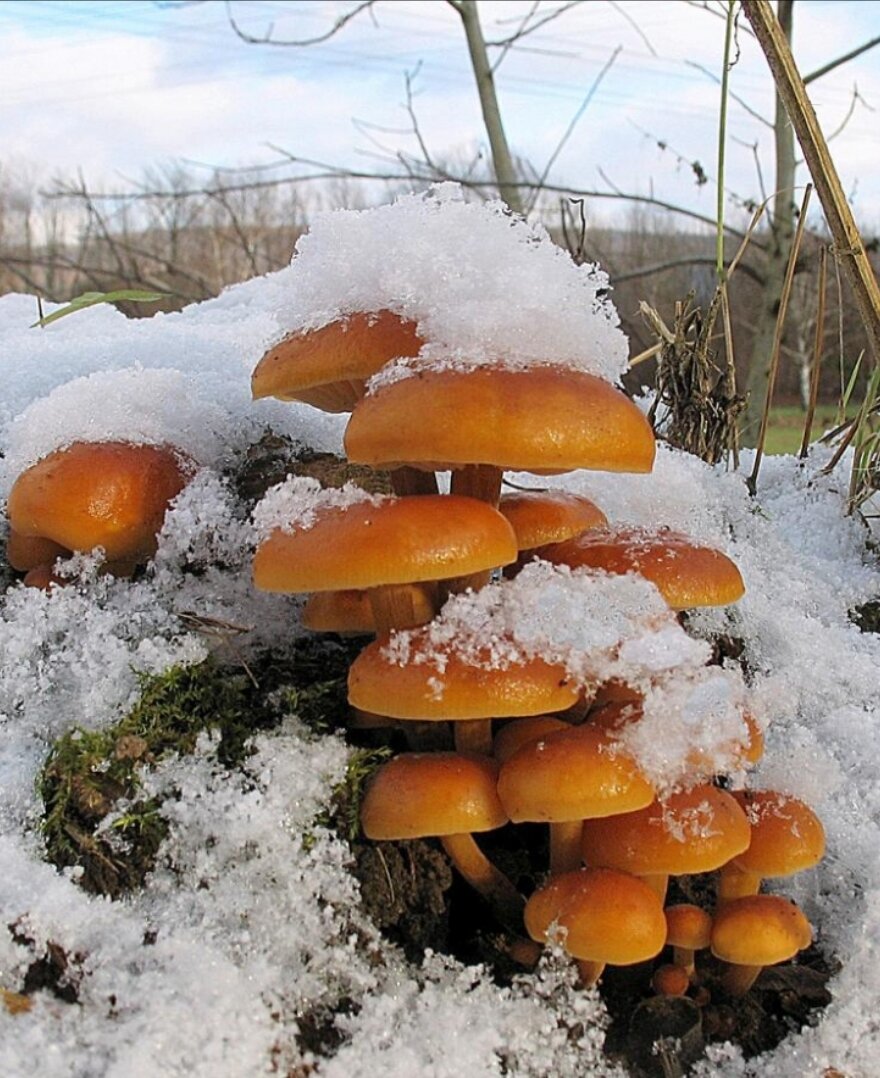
x: 447, y: 796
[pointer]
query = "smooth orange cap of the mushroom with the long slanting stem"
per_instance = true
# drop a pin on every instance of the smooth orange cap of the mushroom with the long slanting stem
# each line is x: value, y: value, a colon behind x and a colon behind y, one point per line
x: 435, y: 794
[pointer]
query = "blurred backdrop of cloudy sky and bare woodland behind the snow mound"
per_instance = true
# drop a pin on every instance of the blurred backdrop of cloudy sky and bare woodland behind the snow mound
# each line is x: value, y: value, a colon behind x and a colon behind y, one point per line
x: 181, y: 147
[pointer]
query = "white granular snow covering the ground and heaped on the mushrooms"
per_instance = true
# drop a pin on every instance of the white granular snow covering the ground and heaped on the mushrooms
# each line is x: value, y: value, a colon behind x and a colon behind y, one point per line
x: 251, y: 921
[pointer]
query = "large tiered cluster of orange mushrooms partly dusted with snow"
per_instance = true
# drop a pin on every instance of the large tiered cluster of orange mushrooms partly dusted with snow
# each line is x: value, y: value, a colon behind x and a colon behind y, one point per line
x: 534, y: 735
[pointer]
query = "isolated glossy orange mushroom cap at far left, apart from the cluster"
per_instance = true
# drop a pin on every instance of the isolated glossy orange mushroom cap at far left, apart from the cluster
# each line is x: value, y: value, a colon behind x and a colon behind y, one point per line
x: 99, y: 494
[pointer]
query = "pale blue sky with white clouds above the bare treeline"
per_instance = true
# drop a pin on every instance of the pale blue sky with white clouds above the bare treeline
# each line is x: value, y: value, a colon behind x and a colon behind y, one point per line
x: 113, y: 89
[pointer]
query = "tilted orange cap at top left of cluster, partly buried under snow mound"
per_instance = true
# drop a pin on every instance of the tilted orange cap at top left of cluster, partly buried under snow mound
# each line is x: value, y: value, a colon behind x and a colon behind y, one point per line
x: 328, y: 367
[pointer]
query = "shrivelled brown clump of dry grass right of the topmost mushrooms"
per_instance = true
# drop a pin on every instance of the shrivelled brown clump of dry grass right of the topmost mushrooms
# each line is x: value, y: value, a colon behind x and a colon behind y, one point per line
x: 697, y: 406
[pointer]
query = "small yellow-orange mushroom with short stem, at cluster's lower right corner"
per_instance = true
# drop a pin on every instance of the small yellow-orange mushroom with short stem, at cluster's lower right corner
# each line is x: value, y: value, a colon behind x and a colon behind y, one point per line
x: 755, y: 932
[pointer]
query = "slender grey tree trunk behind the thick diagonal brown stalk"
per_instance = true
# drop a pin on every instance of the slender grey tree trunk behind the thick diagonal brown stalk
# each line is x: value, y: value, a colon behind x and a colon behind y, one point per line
x: 782, y: 229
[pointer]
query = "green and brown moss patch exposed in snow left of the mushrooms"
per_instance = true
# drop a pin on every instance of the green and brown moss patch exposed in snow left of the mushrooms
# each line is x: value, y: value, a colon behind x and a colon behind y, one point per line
x: 91, y: 775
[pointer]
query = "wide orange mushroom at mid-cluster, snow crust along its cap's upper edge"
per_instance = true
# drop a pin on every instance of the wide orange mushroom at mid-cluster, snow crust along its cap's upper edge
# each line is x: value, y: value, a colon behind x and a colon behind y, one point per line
x: 414, y: 679
